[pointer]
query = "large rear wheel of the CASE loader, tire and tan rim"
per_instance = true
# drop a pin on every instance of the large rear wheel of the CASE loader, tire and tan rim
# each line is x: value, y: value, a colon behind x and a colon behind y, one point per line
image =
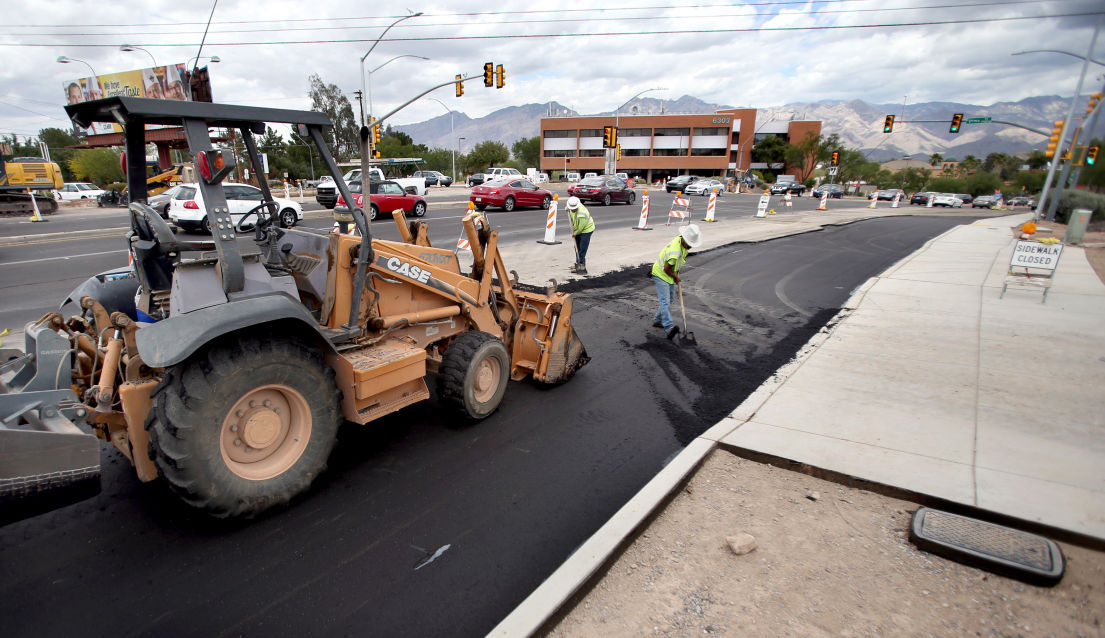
x: 241, y: 427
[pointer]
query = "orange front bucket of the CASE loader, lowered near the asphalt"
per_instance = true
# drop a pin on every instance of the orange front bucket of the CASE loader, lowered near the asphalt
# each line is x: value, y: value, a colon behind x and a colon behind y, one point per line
x: 545, y: 338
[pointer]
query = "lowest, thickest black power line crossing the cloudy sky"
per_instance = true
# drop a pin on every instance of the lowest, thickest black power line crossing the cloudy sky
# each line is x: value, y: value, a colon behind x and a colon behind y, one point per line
x: 598, y: 35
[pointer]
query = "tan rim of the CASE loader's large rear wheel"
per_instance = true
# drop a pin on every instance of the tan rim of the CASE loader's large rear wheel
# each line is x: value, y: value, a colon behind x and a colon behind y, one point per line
x: 266, y: 433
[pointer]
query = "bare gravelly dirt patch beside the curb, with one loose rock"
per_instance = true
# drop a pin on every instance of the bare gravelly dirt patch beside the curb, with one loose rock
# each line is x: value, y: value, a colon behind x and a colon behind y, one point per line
x: 830, y: 561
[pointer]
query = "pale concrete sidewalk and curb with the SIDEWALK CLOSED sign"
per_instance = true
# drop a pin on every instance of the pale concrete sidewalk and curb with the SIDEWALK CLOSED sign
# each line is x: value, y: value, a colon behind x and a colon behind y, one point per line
x: 927, y: 382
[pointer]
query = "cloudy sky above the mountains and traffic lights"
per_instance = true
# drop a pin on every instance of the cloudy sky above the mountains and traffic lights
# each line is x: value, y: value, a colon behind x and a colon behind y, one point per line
x: 762, y: 54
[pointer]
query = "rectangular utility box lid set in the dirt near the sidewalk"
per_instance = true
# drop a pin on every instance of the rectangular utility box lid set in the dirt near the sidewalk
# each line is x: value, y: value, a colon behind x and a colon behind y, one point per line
x: 993, y: 548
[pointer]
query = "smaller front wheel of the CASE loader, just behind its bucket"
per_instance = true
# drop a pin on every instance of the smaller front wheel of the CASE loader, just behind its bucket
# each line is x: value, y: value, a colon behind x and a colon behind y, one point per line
x: 473, y: 375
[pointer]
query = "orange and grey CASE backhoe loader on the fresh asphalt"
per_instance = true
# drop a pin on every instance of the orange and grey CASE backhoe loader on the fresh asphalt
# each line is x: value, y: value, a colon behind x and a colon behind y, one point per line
x: 227, y: 373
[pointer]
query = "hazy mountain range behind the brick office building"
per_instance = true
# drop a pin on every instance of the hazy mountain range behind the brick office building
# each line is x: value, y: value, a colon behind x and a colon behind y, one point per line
x: 858, y: 123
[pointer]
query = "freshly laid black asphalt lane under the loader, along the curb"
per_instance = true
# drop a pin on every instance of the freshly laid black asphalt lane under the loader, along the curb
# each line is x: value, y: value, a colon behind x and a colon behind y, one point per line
x: 501, y: 505
